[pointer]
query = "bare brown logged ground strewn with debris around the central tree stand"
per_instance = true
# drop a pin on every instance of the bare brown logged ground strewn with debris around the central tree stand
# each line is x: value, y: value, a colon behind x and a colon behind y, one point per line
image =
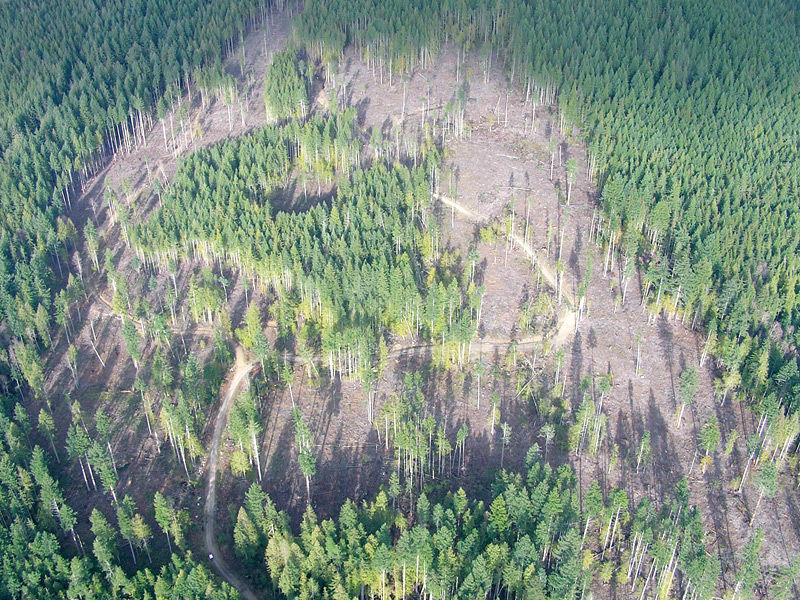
x: 488, y: 166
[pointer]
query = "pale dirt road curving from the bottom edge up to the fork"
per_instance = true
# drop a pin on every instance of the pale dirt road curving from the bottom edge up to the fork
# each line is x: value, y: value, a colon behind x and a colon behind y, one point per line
x: 241, y: 369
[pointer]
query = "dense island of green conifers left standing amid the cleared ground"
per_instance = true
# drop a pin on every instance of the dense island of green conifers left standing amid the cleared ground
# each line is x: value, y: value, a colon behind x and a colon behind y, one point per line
x: 349, y: 271
